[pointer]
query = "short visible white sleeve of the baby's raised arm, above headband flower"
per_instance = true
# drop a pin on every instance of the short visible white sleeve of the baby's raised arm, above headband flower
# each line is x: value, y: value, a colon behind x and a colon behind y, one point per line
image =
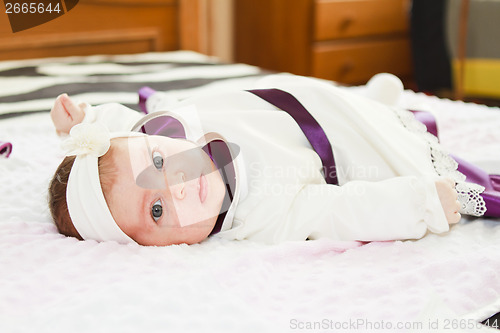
x: 114, y: 116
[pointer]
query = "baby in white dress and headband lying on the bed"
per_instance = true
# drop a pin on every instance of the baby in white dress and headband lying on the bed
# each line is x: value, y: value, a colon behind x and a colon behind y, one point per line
x: 301, y: 160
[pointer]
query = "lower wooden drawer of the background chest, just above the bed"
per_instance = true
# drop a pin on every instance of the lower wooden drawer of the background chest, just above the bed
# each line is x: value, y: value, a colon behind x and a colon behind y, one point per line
x: 356, y: 62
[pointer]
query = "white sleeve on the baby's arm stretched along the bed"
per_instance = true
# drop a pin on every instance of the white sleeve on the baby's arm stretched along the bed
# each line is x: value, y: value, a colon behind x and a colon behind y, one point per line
x: 393, y: 209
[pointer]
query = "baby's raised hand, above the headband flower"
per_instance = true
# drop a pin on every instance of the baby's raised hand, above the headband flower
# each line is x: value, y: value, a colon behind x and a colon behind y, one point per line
x: 65, y: 114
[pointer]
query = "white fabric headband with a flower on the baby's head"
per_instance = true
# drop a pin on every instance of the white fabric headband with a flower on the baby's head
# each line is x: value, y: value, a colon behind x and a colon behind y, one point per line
x: 87, y: 207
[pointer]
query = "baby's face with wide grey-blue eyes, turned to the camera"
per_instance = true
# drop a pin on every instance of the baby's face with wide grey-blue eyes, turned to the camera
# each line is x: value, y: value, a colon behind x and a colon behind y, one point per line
x: 167, y: 191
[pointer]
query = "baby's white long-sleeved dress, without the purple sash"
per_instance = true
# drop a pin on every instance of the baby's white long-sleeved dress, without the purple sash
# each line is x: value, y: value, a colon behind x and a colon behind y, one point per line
x: 386, y: 174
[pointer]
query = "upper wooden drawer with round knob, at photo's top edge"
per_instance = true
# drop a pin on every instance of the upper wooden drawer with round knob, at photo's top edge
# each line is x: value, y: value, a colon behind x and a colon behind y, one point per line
x: 335, y: 19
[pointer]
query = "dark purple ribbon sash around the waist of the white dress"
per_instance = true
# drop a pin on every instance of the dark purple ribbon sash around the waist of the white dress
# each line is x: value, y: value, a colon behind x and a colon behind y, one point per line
x: 309, y: 126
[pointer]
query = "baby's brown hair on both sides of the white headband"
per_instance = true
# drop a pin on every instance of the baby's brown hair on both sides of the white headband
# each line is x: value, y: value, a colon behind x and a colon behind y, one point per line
x: 57, y: 190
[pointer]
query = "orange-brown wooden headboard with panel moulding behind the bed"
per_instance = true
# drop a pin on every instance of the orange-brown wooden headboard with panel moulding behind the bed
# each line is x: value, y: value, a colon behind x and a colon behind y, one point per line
x: 108, y: 27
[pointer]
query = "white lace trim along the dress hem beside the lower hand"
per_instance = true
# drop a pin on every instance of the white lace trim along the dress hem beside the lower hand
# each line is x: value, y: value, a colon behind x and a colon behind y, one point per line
x: 468, y: 193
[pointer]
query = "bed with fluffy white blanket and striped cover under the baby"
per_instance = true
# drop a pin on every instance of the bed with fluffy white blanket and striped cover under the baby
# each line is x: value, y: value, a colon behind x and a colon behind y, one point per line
x: 51, y: 283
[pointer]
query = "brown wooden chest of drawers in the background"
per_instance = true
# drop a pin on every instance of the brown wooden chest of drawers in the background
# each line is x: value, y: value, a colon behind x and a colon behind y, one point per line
x: 343, y: 40
